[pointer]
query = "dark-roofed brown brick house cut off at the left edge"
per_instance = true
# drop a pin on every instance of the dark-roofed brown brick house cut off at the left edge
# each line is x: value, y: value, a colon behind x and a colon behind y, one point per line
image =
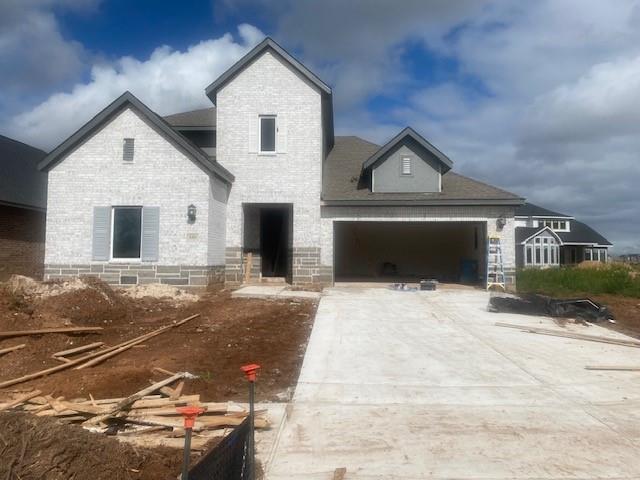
x: 23, y: 202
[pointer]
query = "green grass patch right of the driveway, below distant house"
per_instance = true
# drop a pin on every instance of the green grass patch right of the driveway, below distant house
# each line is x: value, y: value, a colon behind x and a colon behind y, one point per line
x: 612, y: 279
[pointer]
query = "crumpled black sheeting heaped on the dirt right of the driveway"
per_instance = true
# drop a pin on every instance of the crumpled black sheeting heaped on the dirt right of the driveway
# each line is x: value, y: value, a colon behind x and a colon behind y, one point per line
x: 582, y: 308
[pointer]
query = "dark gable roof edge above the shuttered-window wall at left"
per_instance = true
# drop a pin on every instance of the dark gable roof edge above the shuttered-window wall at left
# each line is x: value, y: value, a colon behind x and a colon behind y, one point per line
x: 123, y: 101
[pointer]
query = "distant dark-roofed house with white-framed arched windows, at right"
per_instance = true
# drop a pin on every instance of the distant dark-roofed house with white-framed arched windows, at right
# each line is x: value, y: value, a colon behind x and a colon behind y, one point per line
x: 550, y: 239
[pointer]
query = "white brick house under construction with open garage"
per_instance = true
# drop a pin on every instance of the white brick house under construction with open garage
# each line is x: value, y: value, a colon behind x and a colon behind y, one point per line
x: 260, y: 187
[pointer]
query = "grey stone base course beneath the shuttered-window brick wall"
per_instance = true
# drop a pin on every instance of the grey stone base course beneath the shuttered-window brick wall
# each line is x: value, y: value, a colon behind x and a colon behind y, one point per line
x: 140, y: 273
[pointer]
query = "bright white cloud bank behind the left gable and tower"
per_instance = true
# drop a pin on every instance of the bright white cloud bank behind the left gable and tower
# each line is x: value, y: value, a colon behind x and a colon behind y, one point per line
x: 168, y: 82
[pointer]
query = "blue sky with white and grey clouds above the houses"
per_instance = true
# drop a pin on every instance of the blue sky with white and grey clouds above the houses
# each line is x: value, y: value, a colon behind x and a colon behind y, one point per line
x: 541, y: 98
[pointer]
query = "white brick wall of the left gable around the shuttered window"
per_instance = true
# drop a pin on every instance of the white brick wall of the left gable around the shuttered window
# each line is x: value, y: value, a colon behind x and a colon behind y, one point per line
x: 95, y: 175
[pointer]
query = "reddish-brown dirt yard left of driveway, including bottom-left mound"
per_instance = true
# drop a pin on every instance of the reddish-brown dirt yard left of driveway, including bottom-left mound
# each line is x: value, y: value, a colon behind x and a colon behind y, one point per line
x: 227, y: 334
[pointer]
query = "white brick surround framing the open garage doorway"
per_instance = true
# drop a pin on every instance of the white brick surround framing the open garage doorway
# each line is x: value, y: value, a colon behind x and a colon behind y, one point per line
x: 422, y: 214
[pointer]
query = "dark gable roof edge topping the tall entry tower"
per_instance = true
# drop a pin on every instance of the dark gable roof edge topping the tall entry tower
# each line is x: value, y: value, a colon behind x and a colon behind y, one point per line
x: 268, y: 44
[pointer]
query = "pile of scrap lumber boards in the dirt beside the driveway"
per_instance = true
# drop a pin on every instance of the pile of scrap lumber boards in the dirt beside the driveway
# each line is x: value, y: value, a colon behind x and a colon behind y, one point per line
x: 148, y: 417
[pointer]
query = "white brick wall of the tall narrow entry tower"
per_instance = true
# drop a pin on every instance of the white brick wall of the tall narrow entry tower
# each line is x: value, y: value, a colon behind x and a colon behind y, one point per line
x: 269, y: 86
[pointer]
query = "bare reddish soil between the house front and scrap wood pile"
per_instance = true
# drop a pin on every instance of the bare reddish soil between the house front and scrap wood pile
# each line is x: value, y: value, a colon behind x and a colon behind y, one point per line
x: 229, y: 333
